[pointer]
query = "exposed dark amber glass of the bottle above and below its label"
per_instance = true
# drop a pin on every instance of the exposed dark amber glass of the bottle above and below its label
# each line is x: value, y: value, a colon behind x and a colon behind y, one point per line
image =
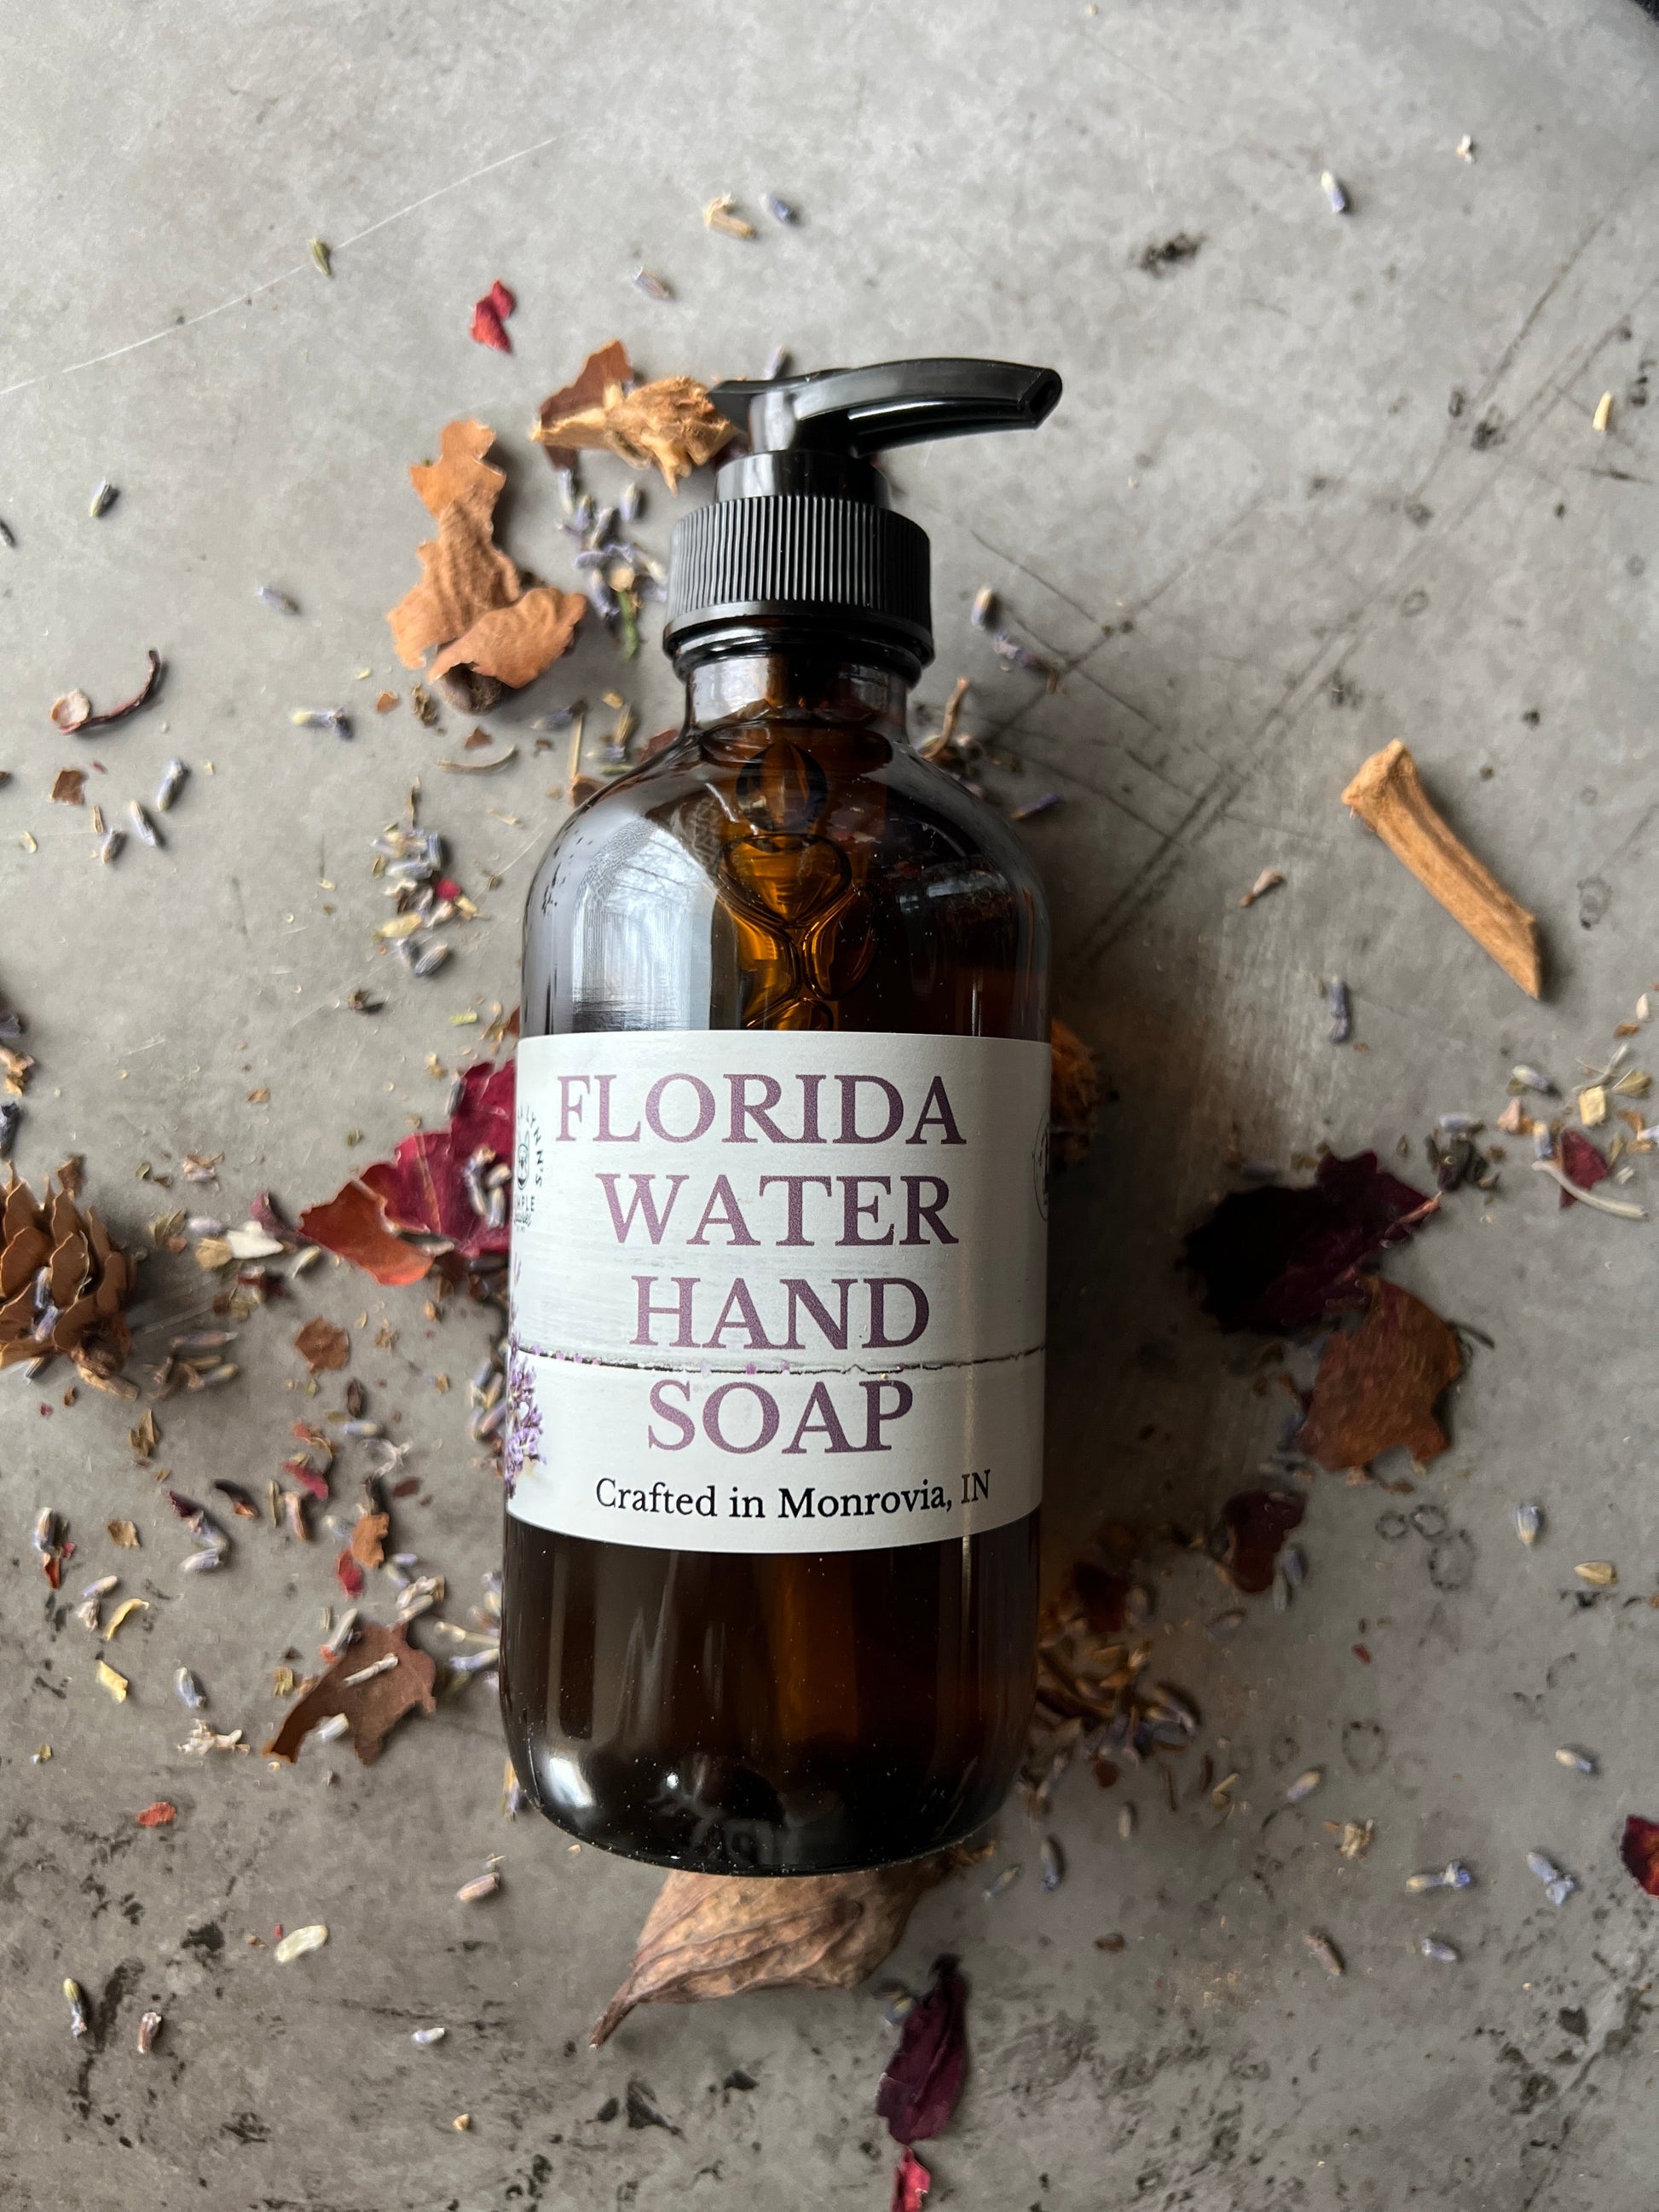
x: 786, y: 864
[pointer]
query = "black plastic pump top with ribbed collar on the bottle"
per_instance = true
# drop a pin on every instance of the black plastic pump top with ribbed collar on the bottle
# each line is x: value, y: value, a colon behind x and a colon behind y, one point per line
x: 802, y: 536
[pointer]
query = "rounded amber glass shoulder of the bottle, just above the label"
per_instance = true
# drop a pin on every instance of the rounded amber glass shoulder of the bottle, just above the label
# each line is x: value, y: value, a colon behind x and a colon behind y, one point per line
x: 782, y: 879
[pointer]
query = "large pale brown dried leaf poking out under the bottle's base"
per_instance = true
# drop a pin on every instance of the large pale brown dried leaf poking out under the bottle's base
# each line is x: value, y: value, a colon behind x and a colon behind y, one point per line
x: 718, y: 1937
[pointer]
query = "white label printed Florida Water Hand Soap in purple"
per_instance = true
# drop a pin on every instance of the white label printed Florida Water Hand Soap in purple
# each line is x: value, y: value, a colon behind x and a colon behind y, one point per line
x: 778, y: 1291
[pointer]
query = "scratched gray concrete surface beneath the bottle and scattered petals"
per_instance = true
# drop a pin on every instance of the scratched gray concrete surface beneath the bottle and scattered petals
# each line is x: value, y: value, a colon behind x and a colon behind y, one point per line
x: 1260, y: 492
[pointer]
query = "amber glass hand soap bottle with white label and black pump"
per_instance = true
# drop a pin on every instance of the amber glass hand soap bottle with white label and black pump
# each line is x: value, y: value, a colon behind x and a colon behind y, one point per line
x: 758, y: 1618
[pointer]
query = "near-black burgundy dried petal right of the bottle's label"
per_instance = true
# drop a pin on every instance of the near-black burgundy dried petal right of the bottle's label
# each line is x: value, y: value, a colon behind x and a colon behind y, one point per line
x: 1277, y: 1260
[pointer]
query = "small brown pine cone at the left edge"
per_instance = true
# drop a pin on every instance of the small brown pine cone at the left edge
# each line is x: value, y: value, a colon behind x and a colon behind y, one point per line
x: 63, y: 1286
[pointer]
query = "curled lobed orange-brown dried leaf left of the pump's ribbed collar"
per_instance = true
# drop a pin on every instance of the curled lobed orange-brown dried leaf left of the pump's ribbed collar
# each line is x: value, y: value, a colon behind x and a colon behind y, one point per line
x: 494, y: 632
